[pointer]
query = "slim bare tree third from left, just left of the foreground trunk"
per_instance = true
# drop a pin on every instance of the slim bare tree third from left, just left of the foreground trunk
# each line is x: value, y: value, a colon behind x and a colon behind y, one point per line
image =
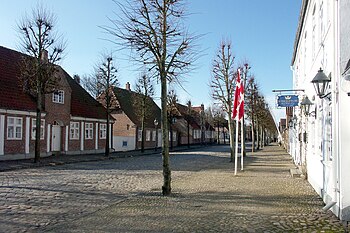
x: 145, y: 89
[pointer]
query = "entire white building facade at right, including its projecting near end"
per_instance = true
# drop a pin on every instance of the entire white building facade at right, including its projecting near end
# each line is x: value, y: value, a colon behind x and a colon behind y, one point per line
x: 320, y: 140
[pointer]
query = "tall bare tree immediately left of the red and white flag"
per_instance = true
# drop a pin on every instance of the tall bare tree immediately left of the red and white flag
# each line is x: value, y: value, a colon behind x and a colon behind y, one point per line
x: 222, y: 85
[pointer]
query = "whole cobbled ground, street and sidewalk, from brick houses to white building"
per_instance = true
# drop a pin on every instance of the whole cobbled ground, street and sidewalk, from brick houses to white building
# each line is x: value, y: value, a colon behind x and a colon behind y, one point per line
x: 123, y: 195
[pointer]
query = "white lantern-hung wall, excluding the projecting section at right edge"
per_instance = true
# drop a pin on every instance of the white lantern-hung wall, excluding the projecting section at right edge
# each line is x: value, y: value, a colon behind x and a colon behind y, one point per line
x: 317, y: 48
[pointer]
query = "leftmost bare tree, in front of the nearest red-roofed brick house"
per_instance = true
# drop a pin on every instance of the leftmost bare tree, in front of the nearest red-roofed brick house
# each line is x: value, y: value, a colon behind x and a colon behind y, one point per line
x: 38, y: 71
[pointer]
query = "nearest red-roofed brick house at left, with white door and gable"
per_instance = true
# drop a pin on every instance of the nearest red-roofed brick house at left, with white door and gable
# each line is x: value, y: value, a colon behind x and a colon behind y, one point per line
x: 72, y: 121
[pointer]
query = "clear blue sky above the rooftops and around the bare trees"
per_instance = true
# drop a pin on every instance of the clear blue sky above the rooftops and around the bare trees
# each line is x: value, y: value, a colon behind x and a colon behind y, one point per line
x: 261, y: 32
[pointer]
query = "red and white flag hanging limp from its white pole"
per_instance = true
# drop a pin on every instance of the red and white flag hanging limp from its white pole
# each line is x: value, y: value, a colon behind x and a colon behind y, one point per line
x: 238, y: 104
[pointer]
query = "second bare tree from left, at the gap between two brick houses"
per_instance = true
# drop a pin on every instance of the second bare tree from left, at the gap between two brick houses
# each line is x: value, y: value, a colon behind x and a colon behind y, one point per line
x: 106, y: 80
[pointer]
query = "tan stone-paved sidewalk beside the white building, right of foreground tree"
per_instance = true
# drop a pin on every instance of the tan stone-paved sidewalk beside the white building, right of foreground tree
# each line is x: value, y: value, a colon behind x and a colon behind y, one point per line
x: 262, y: 198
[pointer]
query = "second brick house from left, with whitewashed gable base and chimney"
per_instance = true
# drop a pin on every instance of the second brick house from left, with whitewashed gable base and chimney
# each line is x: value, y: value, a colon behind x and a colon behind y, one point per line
x: 127, y: 127
